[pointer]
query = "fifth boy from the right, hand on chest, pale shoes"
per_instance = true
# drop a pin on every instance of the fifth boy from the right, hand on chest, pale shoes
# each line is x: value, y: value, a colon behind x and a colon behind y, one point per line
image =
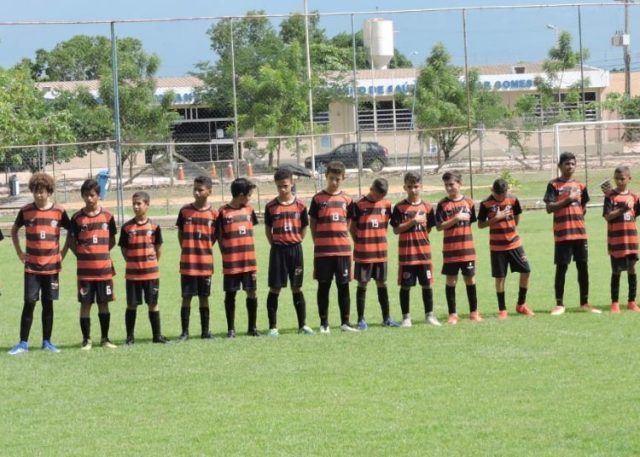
x: 412, y: 220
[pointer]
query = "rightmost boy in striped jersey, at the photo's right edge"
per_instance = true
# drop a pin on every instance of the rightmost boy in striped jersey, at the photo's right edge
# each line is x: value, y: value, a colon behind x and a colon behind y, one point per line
x: 621, y: 207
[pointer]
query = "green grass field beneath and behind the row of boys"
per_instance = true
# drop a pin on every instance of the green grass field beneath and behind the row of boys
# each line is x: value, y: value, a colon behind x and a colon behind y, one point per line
x: 541, y: 386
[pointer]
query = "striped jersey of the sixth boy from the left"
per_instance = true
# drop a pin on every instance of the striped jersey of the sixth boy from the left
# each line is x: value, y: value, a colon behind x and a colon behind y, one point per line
x: 286, y: 221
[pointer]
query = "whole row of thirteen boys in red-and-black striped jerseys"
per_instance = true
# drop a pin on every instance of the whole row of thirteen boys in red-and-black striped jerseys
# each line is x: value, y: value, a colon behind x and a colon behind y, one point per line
x: 334, y: 220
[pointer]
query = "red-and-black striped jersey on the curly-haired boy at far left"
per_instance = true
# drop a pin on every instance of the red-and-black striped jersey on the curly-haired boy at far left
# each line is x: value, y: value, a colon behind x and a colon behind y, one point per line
x: 42, y: 229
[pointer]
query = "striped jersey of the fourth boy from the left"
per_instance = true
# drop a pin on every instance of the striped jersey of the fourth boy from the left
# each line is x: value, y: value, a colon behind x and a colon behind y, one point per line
x: 197, y: 229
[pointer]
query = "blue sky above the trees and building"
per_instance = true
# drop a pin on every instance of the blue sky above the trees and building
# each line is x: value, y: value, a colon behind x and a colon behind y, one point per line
x: 502, y: 35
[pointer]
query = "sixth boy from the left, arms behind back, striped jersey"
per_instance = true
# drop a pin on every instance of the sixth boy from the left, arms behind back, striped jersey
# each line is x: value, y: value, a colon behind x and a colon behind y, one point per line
x: 286, y: 220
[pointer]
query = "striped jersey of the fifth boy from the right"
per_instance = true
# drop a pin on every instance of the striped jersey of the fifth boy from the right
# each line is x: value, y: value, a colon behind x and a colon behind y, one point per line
x: 414, y: 246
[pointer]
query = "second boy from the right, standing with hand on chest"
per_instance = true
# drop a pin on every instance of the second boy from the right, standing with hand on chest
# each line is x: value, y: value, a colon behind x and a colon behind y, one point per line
x: 567, y: 199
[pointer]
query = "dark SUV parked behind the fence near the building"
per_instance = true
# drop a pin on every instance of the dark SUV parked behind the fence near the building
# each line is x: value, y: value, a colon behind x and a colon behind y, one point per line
x: 374, y: 156
